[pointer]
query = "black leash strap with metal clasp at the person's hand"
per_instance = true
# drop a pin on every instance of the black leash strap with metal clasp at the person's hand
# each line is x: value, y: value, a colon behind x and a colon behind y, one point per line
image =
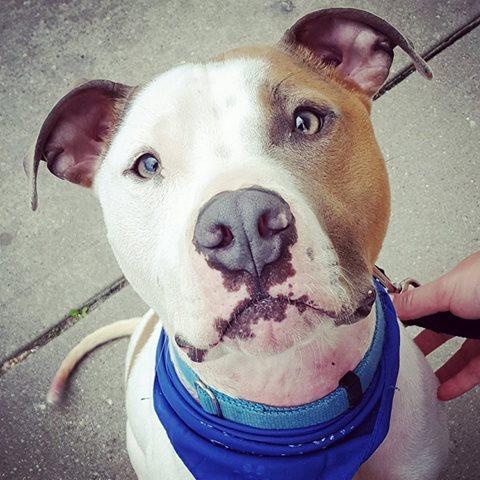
x: 442, y: 322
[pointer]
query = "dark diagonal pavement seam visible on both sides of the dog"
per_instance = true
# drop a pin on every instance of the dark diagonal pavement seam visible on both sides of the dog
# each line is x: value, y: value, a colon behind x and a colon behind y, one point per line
x: 68, y: 321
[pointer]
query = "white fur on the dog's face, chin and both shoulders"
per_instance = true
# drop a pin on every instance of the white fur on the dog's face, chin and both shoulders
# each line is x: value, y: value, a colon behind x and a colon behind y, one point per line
x: 207, y: 127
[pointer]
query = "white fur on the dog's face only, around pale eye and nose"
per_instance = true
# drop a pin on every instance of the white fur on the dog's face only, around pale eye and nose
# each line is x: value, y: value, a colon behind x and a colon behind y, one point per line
x: 208, y: 129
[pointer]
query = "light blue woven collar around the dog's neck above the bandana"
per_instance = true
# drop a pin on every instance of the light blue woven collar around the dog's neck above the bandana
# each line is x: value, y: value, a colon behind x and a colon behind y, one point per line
x: 348, y: 394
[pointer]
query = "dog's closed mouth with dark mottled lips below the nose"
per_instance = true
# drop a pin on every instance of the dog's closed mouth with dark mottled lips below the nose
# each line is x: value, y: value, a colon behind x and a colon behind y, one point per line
x: 251, y: 311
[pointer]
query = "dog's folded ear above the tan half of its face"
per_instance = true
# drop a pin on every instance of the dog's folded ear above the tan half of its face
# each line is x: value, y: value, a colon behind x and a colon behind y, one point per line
x: 357, y: 43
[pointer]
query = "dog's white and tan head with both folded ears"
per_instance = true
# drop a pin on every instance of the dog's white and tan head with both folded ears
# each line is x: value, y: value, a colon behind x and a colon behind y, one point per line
x: 245, y: 198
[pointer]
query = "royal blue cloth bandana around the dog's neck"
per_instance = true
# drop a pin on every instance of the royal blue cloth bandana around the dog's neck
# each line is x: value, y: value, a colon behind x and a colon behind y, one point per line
x: 214, y: 448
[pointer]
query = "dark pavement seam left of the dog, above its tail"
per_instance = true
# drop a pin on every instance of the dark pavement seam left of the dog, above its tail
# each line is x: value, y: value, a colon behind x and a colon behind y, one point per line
x: 64, y: 324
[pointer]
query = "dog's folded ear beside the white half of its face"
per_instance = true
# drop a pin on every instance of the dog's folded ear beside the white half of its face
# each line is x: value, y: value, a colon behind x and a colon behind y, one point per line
x: 76, y: 133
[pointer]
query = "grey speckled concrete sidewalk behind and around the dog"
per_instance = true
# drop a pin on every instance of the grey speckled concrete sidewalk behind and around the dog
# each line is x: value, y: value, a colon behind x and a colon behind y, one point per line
x: 58, y: 259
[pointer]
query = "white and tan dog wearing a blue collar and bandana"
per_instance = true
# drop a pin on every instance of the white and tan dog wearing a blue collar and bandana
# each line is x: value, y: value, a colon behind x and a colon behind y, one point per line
x: 246, y: 201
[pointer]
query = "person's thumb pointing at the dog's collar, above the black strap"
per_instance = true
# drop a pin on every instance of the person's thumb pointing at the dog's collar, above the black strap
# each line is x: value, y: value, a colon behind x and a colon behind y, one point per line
x: 427, y: 299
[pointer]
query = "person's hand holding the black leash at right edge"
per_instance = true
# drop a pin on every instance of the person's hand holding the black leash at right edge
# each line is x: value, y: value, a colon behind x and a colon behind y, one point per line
x: 457, y: 291
